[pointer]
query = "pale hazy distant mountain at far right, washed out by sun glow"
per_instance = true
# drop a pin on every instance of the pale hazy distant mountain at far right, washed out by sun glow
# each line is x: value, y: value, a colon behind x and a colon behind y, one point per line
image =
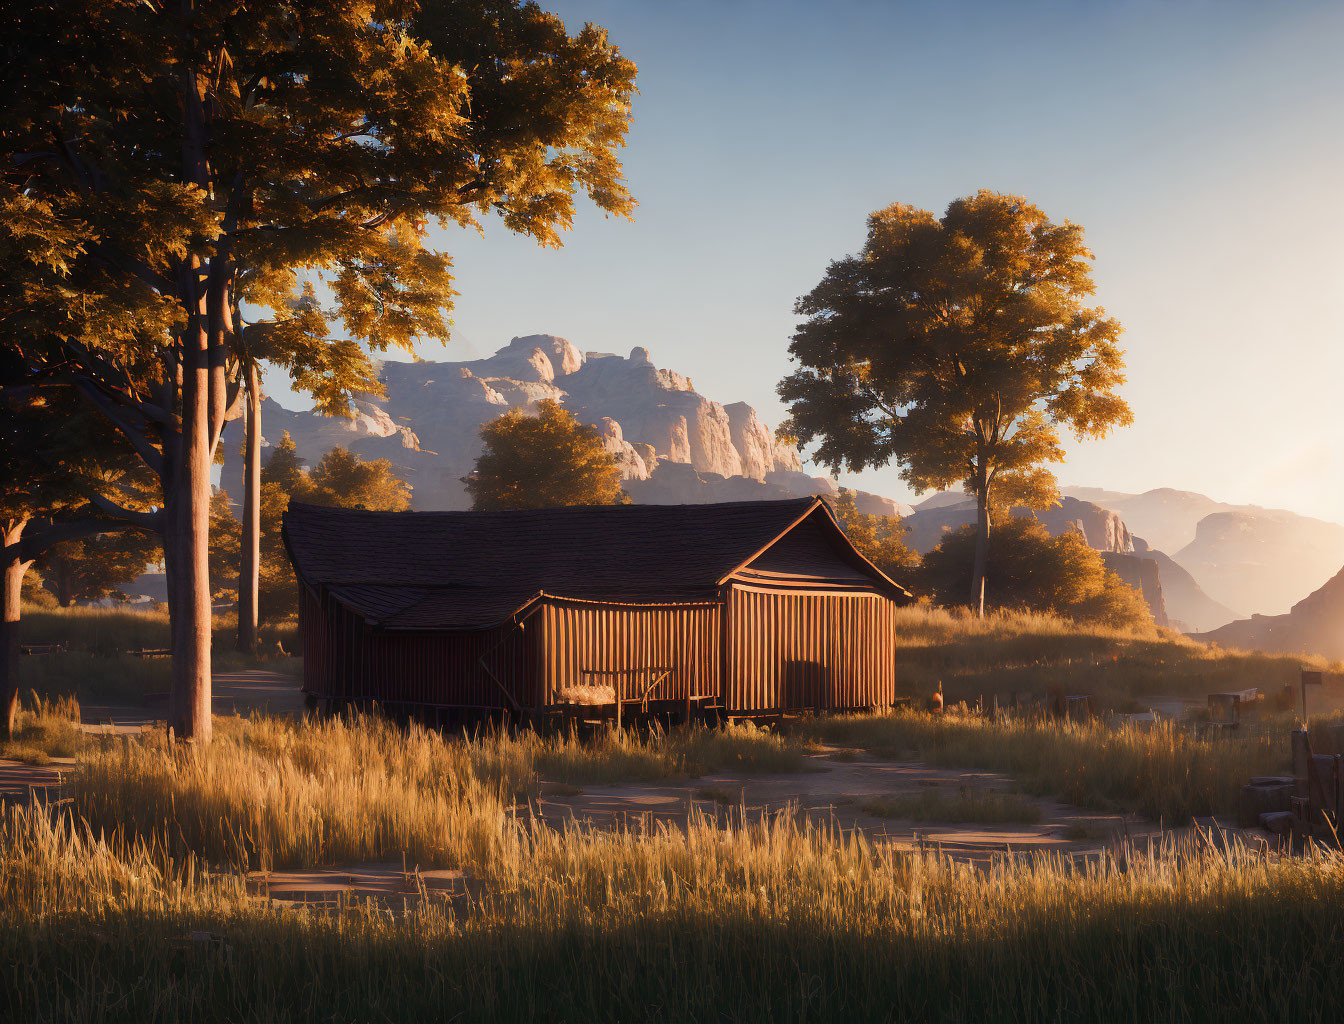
x: 1245, y: 557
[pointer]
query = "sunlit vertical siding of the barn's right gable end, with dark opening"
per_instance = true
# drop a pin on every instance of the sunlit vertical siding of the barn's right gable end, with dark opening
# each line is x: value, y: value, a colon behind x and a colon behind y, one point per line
x: 792, y: 651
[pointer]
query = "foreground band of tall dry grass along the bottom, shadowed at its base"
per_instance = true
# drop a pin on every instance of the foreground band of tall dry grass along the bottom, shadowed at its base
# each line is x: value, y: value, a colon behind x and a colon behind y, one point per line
x: 760, y: 921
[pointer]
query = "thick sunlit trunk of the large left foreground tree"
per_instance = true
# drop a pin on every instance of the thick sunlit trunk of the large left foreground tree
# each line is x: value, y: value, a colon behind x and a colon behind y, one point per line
x: 187, y: 546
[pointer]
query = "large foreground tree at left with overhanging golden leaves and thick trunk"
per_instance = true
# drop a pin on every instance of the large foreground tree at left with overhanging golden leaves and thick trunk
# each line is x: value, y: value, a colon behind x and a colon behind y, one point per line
x: 167, y: 162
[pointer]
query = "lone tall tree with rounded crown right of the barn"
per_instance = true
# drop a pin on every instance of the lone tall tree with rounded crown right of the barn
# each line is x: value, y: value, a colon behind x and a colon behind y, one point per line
x: 958, y: 347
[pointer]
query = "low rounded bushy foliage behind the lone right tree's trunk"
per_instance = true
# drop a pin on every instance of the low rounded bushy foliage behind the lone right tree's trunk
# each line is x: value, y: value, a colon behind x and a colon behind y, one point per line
x: 1032, y: 569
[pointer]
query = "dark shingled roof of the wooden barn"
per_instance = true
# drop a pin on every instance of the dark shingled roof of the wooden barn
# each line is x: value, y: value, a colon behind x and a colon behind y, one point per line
x: 470, y: 570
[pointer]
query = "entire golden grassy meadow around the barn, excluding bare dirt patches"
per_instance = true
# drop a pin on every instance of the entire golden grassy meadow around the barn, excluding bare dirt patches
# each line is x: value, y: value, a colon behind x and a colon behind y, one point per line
x: 128, y: 901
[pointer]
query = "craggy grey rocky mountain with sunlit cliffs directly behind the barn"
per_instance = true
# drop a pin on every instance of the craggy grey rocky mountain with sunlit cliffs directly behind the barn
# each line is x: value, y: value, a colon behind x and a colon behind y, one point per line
x: 673, y: 444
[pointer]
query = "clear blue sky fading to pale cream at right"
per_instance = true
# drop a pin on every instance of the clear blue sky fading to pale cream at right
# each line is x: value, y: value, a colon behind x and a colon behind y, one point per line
x: 1200, y: 144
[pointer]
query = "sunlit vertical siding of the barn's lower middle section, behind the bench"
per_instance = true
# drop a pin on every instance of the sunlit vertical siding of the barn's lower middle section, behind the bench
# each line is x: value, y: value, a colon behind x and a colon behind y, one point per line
x: 579, y: 639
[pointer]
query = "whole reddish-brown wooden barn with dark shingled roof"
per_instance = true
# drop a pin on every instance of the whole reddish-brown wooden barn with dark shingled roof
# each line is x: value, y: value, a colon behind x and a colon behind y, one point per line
x: 739, y: 609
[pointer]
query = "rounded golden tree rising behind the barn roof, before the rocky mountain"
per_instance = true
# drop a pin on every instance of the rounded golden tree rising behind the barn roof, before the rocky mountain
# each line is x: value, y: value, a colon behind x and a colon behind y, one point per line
x: 542, y: 462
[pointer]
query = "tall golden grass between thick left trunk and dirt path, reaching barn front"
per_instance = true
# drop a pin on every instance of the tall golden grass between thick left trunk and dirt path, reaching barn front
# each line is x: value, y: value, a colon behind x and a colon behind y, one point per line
x: 272, y: 792
